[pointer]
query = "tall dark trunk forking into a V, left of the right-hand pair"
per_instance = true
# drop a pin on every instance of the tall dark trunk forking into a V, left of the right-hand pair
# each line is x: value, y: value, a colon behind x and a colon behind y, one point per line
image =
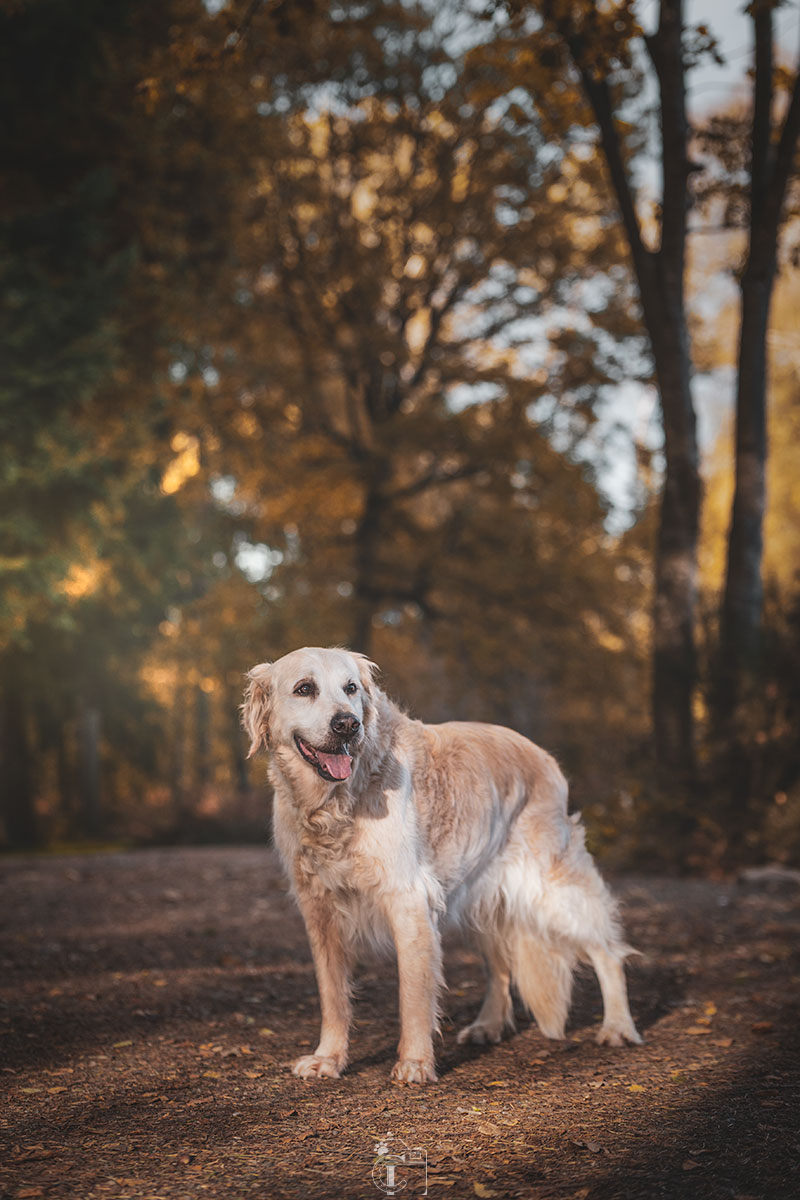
x: 660, y: 277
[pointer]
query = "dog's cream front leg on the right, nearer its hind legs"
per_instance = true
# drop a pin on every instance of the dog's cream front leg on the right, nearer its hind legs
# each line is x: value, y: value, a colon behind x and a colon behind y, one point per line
x: 419, y: 968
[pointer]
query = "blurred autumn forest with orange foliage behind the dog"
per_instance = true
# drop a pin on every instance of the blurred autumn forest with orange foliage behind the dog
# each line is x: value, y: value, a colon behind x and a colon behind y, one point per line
x: 374, y: 325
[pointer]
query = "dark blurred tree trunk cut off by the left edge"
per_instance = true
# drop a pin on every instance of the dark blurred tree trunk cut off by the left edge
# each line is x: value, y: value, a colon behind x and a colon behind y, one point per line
x: 19, y: 809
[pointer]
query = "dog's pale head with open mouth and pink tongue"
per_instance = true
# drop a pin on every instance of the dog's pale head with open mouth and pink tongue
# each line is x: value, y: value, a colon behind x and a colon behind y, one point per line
x: 315, y: 703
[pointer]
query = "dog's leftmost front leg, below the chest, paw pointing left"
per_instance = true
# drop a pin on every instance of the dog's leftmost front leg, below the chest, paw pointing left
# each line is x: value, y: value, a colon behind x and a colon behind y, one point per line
x: 333, y: 968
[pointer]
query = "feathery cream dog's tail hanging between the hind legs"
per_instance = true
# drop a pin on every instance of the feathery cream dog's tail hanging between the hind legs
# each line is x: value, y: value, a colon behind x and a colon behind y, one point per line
x: 543, y: 975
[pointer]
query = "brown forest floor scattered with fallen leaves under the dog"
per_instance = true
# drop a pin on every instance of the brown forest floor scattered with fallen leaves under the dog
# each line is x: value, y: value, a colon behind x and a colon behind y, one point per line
x: 152, y: 1003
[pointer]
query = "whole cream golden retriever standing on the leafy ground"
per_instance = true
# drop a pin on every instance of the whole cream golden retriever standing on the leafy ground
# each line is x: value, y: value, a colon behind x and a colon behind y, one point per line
x: 389, y: 827
